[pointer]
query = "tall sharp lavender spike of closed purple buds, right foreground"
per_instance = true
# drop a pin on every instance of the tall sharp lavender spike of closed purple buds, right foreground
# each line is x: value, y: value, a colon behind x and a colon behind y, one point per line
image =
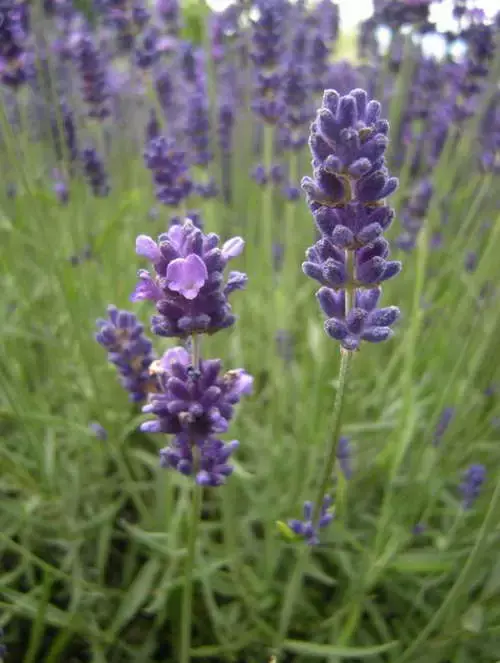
x: 347, y: 196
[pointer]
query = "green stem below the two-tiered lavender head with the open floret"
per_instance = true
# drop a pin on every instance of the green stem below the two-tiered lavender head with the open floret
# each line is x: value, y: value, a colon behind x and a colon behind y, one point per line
x: 187, y: 596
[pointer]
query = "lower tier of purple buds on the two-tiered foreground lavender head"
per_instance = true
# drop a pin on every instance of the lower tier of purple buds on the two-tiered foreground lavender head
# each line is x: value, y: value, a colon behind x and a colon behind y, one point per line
x: 195, y: 404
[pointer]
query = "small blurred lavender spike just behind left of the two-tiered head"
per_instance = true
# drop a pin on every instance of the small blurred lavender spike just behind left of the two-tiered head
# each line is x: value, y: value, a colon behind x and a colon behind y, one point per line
x: 129, y: 350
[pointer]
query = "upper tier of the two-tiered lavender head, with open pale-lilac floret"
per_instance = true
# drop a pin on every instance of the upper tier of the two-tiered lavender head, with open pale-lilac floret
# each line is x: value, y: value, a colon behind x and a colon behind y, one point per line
x: 188, y: 283
